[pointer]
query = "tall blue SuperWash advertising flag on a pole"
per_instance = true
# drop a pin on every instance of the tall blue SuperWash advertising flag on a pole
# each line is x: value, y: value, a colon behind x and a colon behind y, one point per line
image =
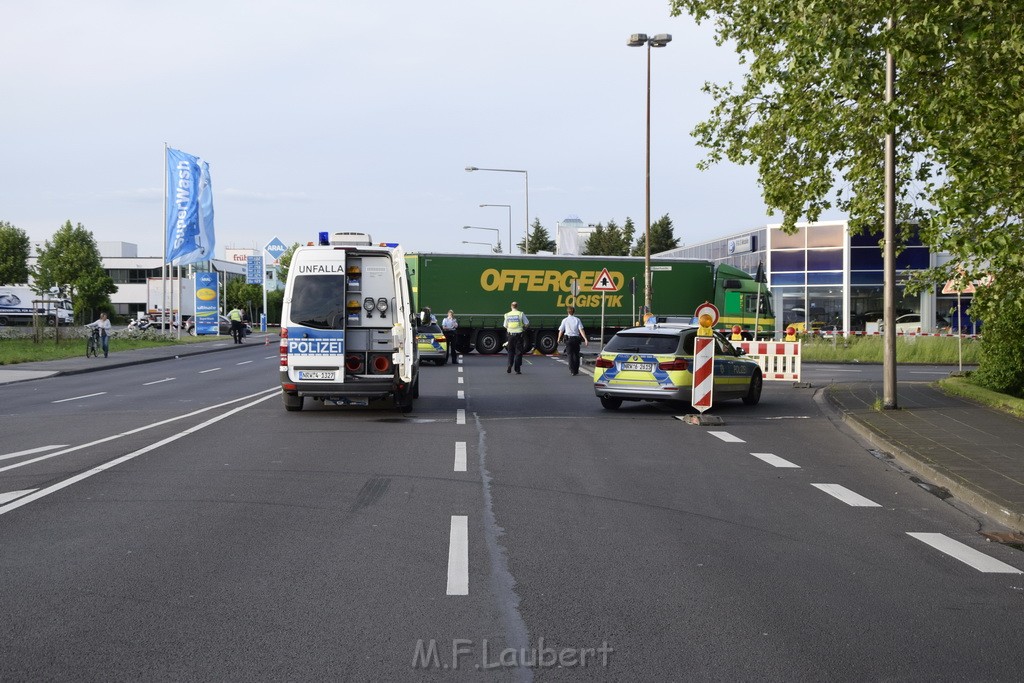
x: 190, y: 209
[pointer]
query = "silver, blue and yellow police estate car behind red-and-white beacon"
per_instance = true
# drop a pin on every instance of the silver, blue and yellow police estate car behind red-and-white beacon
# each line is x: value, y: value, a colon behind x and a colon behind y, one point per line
x: 656, y: 363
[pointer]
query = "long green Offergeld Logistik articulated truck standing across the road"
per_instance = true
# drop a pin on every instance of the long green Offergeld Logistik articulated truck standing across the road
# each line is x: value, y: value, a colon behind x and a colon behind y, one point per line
x: 482, y: 288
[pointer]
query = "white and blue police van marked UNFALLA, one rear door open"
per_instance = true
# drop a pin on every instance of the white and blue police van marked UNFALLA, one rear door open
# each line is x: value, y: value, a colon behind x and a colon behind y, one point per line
x: 348, y: 327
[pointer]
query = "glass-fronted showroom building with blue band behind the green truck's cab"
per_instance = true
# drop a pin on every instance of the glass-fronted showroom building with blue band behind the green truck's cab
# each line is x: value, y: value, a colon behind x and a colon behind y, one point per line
x: 822, y: 278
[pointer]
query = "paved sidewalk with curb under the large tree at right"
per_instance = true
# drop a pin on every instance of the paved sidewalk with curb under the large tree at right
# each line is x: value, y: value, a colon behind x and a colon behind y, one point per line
x: 974, y: 452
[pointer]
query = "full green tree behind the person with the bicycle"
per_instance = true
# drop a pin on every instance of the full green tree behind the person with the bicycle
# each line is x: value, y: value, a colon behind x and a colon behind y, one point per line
x: 72, y: 263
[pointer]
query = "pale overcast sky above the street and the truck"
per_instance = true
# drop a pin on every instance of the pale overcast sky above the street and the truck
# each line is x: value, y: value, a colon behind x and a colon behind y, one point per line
x: 361, y: 115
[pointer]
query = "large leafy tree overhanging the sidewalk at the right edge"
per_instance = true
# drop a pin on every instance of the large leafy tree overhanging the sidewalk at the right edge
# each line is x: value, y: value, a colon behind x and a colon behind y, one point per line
x: 812, y: 116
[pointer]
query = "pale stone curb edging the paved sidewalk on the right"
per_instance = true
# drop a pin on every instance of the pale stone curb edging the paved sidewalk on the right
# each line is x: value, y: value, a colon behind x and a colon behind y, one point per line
x: 960, y: 491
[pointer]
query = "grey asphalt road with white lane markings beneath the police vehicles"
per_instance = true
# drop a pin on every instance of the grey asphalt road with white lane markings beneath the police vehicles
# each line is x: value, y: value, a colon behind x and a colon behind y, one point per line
x: 173, y: 522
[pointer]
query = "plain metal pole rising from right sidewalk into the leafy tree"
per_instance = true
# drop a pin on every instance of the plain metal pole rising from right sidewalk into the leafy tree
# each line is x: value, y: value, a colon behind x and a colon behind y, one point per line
x: 889, y: 250
